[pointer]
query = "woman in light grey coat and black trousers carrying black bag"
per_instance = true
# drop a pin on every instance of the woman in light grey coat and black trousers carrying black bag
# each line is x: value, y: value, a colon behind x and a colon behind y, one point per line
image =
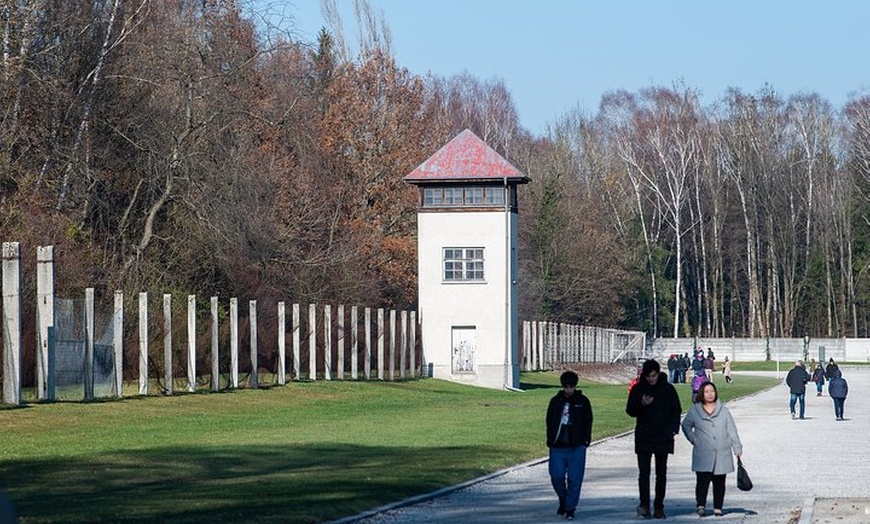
x: 710, y: 428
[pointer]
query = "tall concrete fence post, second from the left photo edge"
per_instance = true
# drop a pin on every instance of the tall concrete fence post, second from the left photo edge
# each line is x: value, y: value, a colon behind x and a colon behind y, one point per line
x: 44, y: 316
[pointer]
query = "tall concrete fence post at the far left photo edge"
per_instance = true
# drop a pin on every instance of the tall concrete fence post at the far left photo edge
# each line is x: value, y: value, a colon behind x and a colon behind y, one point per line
x: 11, y: 323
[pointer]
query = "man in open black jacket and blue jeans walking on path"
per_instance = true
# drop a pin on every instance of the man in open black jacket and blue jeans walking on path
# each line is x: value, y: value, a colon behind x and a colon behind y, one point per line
x: 569, y: 433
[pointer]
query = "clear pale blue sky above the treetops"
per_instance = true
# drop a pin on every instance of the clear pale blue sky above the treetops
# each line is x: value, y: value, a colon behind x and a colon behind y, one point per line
x: 555, y: 56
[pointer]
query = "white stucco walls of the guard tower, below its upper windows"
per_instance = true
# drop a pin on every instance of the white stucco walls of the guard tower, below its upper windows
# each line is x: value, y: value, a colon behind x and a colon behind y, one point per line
x: 483, y: 305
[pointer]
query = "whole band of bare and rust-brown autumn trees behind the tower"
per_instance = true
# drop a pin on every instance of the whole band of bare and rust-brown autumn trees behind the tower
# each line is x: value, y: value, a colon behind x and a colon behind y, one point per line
x: 177, y: 146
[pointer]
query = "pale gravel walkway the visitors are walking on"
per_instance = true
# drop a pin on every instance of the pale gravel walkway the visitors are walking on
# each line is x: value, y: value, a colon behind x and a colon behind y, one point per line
x: 809, y: 471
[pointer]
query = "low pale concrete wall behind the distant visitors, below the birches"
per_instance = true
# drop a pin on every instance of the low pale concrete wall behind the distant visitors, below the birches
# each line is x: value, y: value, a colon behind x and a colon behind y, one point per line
x: 780, y: 349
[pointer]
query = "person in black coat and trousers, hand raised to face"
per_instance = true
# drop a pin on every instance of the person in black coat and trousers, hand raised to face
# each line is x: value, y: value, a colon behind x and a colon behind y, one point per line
x: 656, y: 406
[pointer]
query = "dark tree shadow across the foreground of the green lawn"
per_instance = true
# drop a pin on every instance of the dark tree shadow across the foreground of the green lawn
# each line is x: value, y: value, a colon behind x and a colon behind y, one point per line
x: 308, y: 483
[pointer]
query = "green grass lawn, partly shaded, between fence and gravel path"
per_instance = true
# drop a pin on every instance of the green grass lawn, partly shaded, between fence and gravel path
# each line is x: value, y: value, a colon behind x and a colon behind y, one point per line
x: 305, y: 452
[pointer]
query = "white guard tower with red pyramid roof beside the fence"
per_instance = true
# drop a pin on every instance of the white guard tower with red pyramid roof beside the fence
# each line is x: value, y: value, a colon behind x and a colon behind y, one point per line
x: 467, y: 263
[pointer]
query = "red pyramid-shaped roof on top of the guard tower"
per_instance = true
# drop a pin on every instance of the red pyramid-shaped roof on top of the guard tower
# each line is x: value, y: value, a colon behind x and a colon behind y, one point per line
x: 465, y: 158
